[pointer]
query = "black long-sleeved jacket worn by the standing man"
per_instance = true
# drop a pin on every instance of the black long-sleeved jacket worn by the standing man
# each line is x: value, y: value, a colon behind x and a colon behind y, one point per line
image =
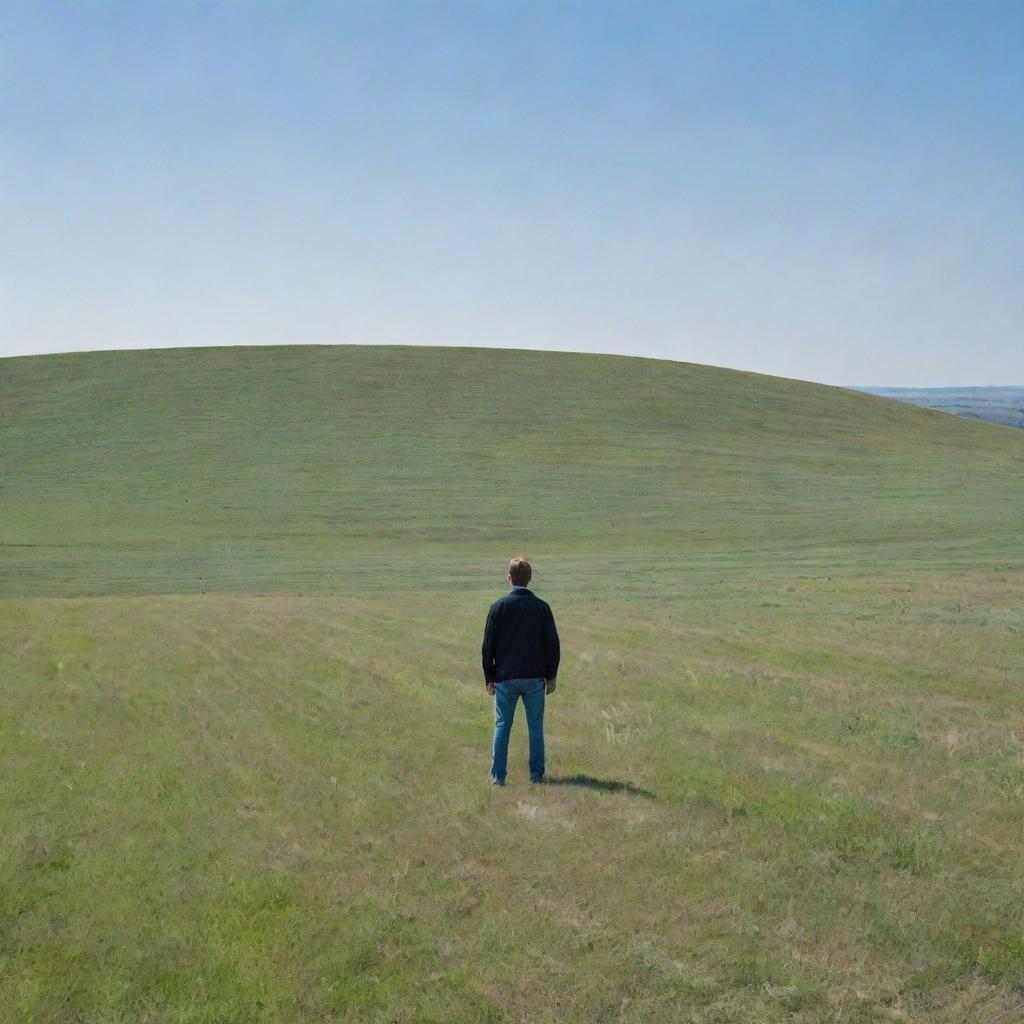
x: 521, y: 641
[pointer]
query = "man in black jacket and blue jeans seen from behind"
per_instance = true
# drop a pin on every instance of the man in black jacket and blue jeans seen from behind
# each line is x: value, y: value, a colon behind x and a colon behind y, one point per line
x: 521, y: 660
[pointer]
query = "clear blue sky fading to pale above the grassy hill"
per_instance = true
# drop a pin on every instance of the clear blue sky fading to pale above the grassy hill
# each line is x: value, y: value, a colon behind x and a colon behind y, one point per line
x: 827, y: 191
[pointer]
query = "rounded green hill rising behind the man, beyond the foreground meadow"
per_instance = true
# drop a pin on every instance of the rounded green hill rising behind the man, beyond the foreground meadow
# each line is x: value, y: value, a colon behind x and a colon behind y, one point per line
x: 315, y: 468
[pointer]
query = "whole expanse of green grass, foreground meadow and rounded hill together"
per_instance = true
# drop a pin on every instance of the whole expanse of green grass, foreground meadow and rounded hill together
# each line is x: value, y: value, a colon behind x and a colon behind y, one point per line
x: 246, y: 741
